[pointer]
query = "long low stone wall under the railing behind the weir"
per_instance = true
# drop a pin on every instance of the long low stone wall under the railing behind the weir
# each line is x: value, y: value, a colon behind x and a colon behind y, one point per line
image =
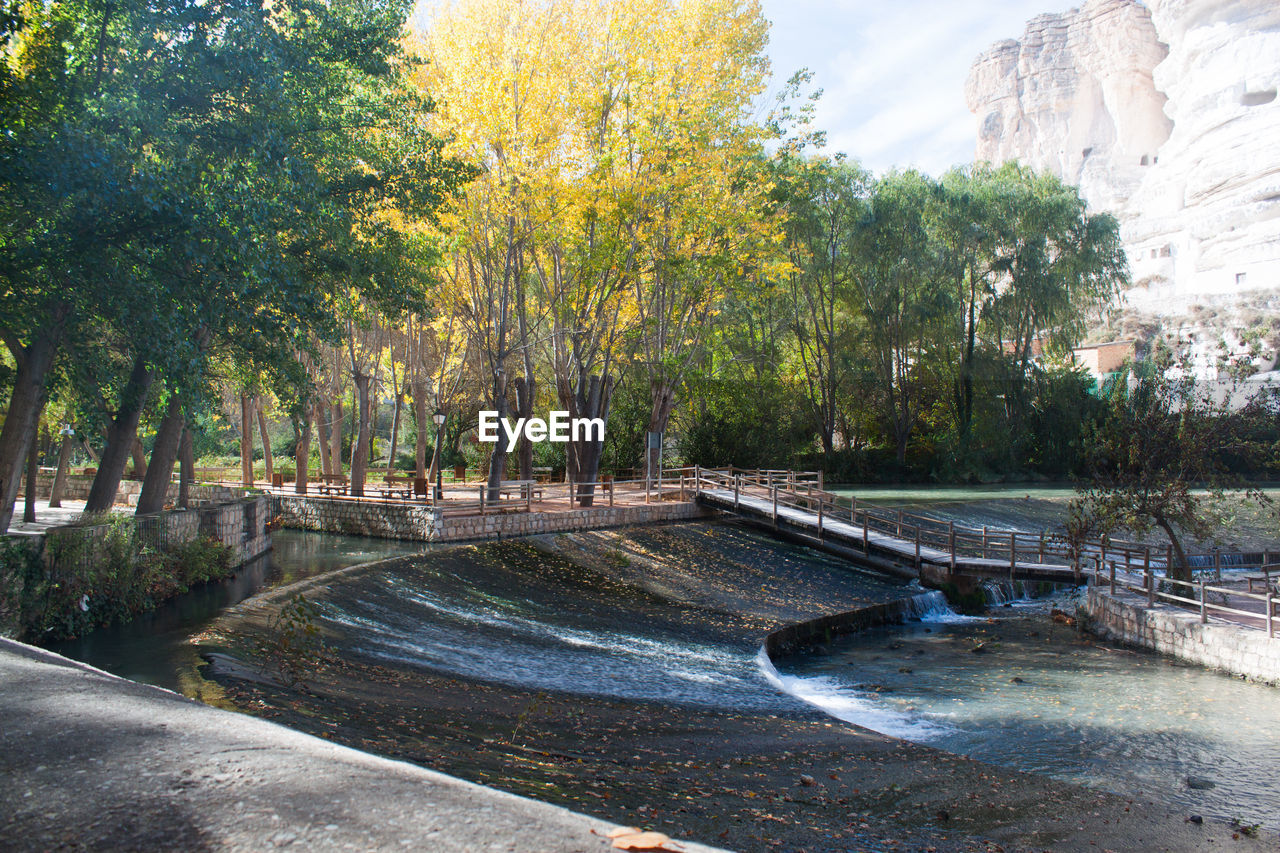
x: 423, y: 523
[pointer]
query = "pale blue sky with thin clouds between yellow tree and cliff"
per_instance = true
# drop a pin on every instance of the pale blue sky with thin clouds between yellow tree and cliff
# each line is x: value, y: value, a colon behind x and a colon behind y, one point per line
x: 893, y: 71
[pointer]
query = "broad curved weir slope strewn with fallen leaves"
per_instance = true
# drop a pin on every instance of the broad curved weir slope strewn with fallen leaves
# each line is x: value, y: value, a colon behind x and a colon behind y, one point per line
x: 772, y: 774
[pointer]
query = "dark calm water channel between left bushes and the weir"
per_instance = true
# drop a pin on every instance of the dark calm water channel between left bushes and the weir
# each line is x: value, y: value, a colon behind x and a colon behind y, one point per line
x: 154, y: 649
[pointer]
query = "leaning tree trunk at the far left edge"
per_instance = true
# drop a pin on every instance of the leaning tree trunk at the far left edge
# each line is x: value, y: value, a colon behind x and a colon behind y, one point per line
x: 26, y: 402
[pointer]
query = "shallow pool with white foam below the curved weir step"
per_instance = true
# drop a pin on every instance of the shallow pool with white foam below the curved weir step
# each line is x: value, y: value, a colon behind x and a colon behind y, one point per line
x: 1031, y: 695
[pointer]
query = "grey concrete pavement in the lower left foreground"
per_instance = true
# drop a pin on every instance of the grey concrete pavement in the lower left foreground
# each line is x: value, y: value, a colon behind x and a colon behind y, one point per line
x: 95, y: 761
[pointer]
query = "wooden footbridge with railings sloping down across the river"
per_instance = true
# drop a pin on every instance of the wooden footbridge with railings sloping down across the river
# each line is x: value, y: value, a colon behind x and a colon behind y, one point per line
x: 936, y: 551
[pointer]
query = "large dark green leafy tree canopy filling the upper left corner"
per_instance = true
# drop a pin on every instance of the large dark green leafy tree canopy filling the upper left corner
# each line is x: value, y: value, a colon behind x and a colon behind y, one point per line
x: 214, y: 166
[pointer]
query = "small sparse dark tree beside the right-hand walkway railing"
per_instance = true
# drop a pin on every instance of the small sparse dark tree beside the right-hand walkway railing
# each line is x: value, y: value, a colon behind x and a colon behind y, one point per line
x: 1156, y: 460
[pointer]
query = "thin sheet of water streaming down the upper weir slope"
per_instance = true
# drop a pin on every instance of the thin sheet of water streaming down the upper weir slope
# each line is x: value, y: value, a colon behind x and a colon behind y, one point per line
x: 650, y: 615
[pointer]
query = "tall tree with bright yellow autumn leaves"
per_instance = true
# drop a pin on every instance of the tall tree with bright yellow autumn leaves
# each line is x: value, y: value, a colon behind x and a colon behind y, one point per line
x: 619, y: 200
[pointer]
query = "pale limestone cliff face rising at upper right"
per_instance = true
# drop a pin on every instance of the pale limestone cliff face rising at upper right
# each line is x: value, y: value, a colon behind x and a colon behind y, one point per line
x: 1164, y: 115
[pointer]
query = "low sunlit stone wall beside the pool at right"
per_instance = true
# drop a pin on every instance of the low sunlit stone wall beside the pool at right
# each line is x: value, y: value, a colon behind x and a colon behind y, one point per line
x: 1171, y: 631
